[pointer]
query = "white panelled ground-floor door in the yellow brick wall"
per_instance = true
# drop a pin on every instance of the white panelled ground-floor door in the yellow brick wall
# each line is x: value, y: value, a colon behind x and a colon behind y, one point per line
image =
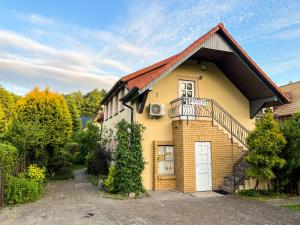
x: 203, y: 166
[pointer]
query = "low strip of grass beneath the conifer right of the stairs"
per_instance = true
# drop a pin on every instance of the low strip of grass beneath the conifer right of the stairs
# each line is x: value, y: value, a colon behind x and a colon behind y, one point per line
x: 262, y: 195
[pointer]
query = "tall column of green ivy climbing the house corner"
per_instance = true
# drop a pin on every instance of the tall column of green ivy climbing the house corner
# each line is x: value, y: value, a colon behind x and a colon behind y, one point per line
x: 129, y: 158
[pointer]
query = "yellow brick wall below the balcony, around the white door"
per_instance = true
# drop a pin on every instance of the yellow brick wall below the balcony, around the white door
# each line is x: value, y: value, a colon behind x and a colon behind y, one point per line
x: 224, y: 153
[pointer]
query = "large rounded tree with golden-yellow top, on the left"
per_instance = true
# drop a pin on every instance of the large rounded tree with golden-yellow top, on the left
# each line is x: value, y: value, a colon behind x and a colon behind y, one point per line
x: 49, y: 110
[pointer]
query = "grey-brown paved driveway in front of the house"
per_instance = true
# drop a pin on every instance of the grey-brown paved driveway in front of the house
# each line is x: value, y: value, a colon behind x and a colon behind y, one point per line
x: 76, y: 202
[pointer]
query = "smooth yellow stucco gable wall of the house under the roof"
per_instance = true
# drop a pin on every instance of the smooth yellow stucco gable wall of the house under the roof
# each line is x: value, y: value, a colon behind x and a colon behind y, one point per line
x: 214, y: 84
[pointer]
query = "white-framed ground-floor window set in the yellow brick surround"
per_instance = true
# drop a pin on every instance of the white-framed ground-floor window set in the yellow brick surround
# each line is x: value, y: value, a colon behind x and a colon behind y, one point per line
x: 165, y: 160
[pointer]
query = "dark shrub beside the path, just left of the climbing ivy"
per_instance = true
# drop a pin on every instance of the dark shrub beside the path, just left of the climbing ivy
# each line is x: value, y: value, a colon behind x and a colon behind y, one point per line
x: 98, y: 161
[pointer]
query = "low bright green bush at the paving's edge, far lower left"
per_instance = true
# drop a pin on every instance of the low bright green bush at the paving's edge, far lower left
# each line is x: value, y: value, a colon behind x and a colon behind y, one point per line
x: 18, y: 190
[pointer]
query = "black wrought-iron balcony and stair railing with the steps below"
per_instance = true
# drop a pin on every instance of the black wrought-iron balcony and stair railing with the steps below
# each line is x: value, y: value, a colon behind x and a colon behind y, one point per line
x: 193, y: 108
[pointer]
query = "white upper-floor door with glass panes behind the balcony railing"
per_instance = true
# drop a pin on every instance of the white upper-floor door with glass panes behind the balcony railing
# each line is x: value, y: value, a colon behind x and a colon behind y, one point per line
x: 186, y: 90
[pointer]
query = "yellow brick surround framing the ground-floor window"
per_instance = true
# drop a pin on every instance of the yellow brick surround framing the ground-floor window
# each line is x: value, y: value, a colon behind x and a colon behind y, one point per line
x: 161, y: 182
